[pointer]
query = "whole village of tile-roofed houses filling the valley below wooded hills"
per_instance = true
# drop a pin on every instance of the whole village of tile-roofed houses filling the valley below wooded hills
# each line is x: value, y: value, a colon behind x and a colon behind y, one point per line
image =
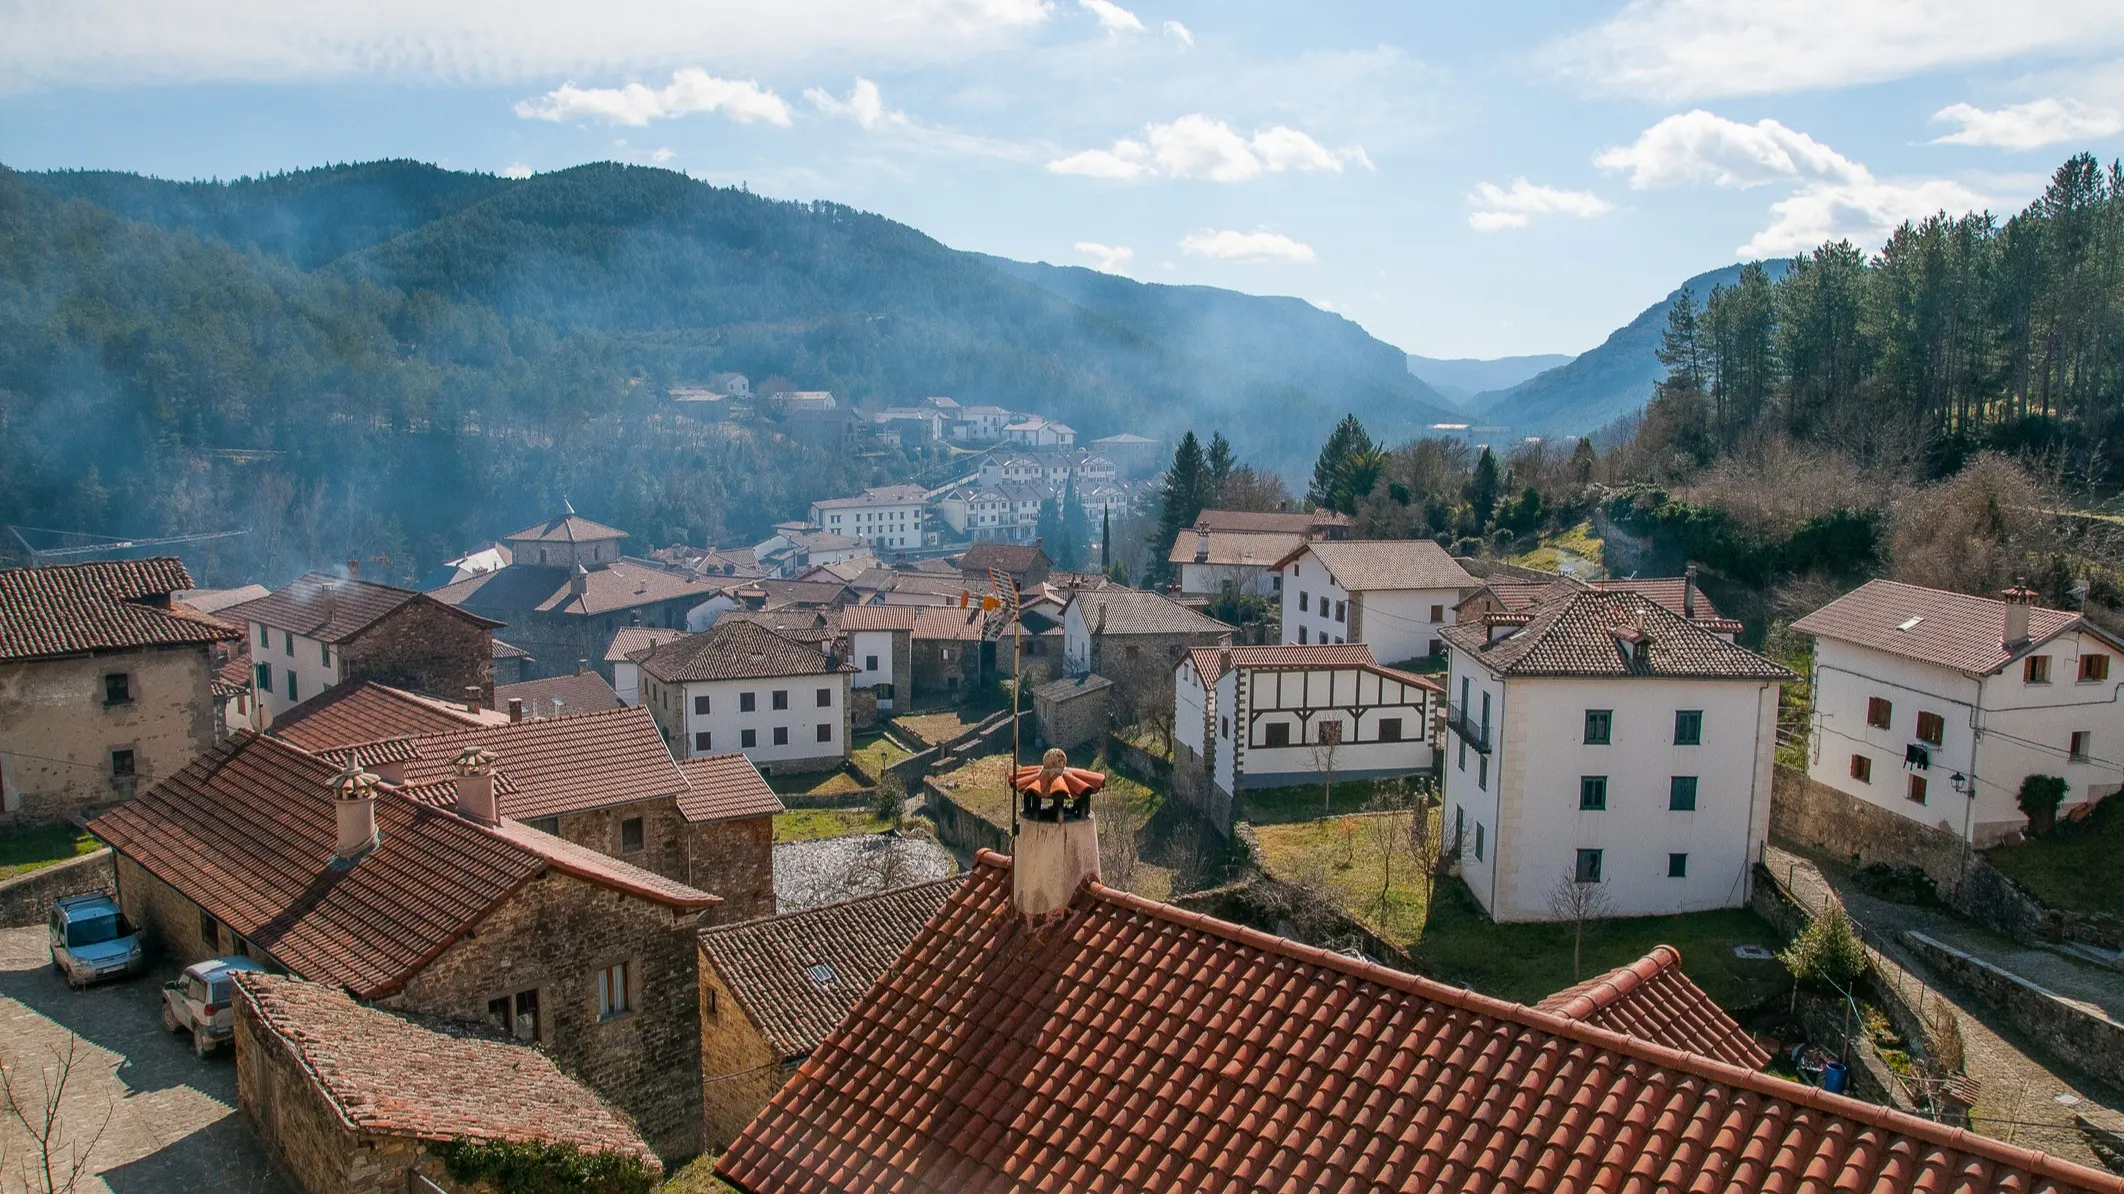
x: 891, y: 853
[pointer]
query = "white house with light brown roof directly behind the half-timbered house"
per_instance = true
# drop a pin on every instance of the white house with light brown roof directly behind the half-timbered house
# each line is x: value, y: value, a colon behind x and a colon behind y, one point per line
x: 1394, y: 596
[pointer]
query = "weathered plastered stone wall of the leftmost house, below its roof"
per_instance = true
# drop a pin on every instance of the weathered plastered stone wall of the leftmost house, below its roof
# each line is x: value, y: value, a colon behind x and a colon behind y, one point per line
x: 61, y: 734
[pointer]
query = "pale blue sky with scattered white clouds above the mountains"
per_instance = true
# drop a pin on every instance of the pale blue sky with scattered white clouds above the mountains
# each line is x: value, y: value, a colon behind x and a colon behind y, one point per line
x: 1460, y: 180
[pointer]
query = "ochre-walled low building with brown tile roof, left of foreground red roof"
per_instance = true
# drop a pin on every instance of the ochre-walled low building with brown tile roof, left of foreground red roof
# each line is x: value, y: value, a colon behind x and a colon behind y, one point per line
x: 774, y: 989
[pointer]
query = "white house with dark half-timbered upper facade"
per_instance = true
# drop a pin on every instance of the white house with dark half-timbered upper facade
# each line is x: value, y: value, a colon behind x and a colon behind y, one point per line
x: 1273, y: 717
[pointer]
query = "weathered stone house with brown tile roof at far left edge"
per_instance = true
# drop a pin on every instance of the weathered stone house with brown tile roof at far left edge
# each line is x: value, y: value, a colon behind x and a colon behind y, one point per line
x: 105, y: 685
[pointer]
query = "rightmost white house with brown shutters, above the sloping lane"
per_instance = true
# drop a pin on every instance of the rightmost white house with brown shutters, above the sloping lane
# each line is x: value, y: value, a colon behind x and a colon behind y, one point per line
x: 1936, y: 706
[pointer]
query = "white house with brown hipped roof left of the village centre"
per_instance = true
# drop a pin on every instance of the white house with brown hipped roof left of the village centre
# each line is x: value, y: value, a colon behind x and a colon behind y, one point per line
x: 742, y: 687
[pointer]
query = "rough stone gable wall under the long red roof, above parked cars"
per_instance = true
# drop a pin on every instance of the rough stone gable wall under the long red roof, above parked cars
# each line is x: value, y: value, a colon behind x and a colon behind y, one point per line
x: 555, y: 936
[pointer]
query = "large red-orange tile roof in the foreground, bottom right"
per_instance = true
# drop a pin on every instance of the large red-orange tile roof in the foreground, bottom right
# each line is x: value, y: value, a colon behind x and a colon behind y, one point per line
x: 1133, y: 1046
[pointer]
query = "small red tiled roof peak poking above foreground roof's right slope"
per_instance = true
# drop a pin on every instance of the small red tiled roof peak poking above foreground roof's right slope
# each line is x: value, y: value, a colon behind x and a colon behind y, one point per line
x: 1656, y: 1002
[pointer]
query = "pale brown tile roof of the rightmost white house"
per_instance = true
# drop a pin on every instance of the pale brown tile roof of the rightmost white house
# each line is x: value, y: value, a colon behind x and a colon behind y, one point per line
x: 1951, y: 630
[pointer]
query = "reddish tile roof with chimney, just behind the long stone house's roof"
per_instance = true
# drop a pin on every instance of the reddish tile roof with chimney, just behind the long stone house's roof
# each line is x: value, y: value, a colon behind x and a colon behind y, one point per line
x: 555, y: 766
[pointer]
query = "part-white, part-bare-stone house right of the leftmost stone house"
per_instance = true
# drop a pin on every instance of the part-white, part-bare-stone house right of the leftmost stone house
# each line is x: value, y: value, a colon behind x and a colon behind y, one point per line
x: 324, y: 630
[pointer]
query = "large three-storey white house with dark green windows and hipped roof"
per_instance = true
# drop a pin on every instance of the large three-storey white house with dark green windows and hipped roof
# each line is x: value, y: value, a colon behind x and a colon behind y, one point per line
x: 1605, y: 738
